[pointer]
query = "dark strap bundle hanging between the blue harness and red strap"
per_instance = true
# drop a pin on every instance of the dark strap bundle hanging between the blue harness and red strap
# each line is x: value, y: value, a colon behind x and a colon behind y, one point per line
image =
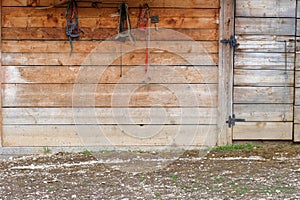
x: 124, y: 31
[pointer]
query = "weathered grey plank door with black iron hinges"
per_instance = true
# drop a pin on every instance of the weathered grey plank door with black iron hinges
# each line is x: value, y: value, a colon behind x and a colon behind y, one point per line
x: 264, y: 70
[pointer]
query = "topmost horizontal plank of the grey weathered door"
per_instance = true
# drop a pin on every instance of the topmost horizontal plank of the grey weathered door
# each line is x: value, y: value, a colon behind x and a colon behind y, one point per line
x: 266, y: 8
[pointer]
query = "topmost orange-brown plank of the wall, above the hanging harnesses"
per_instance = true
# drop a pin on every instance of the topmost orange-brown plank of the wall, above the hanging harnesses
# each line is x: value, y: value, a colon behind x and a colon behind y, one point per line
x: 131, y: 3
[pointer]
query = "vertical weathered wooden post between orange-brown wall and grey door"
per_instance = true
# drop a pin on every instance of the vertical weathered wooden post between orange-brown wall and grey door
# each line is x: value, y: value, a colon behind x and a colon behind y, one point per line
x: 225, y: 72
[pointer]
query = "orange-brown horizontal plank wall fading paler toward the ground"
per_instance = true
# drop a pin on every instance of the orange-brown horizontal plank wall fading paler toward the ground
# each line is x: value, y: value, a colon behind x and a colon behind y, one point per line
x: 39, y: 76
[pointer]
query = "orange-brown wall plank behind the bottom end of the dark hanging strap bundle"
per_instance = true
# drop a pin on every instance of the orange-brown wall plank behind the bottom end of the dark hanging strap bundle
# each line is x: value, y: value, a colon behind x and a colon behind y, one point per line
x: 103, y: 34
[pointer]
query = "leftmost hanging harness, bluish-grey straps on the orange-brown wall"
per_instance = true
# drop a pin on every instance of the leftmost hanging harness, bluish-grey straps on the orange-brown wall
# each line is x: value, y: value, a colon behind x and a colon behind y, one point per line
x: 72, y: 30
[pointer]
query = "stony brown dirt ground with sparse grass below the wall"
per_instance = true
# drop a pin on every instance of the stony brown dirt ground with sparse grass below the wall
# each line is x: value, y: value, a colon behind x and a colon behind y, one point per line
x: 271, y: 172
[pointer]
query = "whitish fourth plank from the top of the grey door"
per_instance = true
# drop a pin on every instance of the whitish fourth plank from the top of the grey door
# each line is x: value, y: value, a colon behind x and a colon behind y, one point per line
x: 264, y: 61
